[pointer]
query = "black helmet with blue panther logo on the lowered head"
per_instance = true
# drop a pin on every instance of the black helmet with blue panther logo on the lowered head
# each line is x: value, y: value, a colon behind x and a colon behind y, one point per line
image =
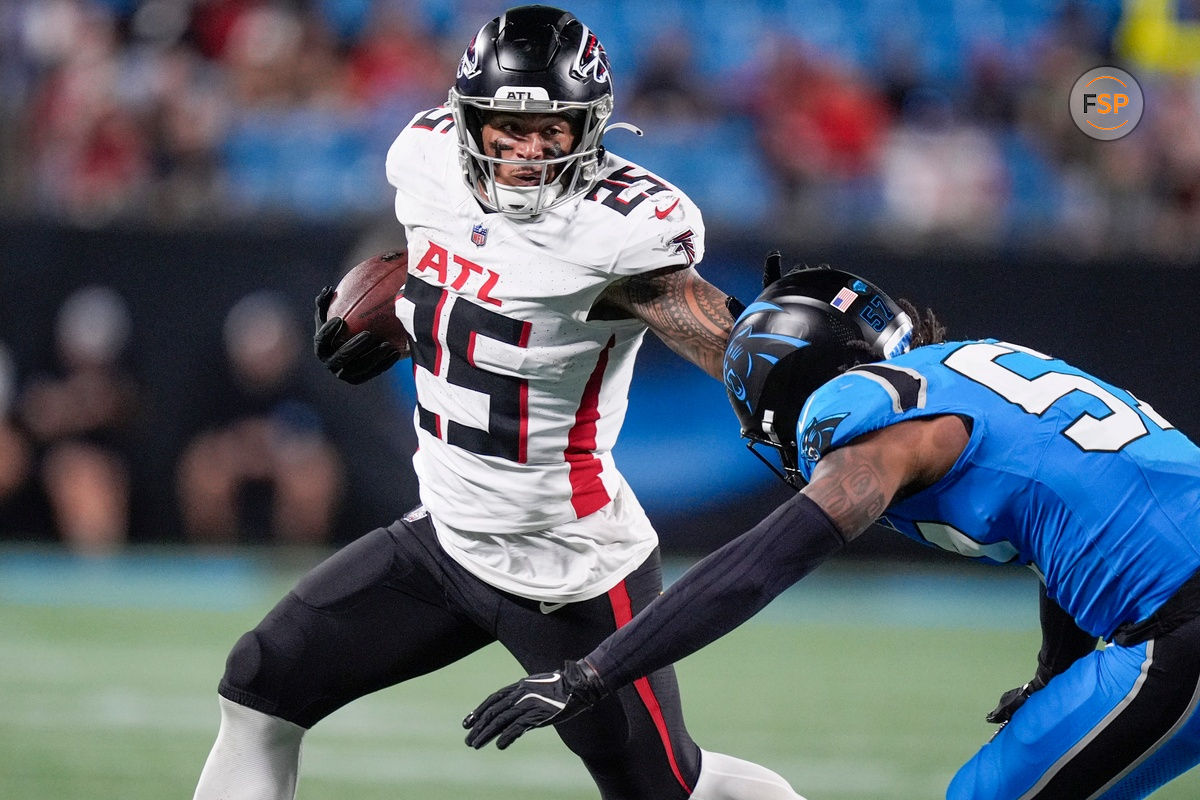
x: 802, y: 332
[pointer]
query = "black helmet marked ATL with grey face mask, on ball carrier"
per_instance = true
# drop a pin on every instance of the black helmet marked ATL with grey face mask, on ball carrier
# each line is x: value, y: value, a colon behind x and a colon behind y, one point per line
x: 533, y: 59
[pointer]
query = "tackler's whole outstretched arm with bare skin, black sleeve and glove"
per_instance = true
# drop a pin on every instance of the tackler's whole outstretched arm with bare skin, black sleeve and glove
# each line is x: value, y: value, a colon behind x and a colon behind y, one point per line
x: 850, y: 489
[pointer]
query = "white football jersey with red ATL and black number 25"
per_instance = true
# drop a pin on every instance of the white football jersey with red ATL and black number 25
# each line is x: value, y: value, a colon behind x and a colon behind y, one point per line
x: 520, y: 395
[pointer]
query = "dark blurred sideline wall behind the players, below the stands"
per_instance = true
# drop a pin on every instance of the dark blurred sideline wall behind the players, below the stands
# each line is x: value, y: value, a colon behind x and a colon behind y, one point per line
x: 1130, y: 323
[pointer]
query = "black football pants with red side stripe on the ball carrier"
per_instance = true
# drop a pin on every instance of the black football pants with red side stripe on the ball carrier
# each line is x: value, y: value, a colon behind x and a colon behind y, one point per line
x: 393, y: 606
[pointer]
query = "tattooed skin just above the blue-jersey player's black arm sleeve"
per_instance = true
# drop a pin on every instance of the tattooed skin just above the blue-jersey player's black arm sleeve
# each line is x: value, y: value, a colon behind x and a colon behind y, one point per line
x: 851, y: 490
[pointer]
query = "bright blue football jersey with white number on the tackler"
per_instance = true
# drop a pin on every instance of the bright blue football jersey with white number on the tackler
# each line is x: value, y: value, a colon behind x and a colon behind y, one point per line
x: 1064, y: 473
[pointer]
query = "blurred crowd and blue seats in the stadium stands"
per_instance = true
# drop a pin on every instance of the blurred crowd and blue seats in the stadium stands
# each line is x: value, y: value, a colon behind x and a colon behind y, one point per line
x: 896, y: 121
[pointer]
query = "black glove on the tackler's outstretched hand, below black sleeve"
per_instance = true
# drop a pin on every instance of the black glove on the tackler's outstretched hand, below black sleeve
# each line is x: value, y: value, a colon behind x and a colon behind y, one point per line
x: 535, y: 702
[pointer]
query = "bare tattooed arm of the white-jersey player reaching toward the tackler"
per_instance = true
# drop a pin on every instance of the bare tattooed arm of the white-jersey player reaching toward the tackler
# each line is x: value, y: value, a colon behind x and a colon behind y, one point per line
x: 686, y: 311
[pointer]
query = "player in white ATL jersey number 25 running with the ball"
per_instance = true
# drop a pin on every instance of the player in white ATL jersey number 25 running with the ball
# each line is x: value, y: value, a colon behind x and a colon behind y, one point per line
x: 537, y: 263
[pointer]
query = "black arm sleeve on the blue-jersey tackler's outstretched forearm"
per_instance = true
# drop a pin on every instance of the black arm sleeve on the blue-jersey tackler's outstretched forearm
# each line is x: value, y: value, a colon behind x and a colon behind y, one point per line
x: 722, y: 592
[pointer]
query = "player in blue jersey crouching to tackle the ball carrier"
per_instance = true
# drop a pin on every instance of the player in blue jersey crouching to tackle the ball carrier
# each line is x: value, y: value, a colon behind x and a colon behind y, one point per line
x: 988, y: 449
